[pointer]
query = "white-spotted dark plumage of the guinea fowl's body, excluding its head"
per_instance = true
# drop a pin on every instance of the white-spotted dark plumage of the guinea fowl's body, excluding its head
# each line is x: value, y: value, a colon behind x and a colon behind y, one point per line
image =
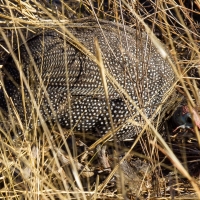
x: 67, y: 86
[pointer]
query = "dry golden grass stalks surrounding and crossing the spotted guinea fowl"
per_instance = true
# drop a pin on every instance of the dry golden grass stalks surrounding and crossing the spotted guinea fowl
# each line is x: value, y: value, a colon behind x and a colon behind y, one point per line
x: 46, y: 163
